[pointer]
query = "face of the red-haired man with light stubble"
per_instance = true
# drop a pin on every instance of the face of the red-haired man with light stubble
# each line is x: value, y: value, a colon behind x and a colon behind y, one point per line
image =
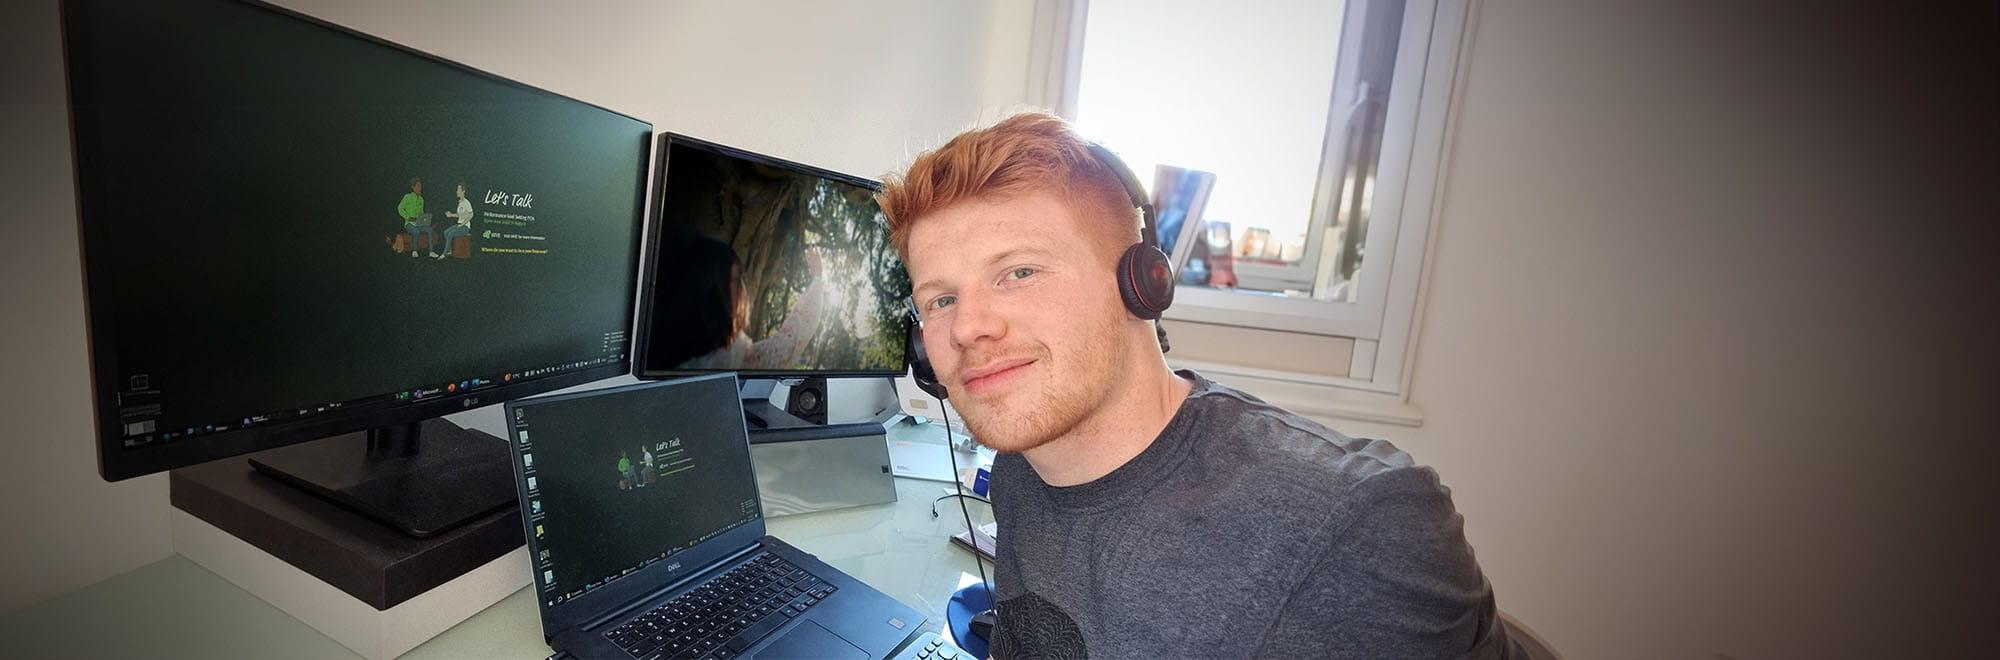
x: 1021, y: 315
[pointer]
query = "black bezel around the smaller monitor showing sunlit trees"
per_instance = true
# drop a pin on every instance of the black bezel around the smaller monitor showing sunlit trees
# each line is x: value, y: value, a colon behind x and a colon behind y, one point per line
x: 651, y: 263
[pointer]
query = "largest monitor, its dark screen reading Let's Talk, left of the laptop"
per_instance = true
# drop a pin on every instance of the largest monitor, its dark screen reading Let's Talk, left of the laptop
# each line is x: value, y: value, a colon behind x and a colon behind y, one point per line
x: 295, y: 231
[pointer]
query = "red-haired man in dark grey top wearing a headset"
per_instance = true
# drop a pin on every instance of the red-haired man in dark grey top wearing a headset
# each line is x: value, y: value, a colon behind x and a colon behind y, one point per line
x: 1149, y: 513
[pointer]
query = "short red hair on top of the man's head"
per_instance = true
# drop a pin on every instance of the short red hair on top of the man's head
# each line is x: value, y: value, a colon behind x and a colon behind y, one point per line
x: 1023, y: 155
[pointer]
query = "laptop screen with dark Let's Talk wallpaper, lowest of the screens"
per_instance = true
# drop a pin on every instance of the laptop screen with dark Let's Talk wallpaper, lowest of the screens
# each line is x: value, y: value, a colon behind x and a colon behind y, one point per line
x: 629, y: 477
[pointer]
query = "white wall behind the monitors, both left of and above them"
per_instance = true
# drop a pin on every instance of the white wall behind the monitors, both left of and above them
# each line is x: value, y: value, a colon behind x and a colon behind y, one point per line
x: 855, y: 87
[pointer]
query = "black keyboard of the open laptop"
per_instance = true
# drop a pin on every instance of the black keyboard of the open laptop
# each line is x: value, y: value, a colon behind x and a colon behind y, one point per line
x: 727, y: 615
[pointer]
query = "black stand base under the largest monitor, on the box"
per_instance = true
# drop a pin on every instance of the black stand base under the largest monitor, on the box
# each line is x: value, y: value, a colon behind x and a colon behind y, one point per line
x: 419, y: 479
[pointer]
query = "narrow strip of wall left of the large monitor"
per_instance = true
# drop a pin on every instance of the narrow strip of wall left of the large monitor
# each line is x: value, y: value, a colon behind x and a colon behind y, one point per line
x: 63, y: 525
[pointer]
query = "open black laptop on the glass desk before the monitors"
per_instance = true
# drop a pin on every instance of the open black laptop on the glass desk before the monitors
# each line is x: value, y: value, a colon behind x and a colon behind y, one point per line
x: 647, y: 535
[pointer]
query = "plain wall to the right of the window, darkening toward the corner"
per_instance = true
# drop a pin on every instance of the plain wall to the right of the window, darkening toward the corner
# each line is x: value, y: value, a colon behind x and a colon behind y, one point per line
x: 1699, y: 345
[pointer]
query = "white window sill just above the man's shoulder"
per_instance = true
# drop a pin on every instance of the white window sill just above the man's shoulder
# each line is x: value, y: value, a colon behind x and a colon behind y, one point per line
x: 1309, y: 395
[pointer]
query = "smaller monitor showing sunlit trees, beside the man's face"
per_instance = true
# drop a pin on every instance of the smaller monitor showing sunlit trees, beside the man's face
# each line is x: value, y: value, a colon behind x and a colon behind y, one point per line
x: 769, y: 269
